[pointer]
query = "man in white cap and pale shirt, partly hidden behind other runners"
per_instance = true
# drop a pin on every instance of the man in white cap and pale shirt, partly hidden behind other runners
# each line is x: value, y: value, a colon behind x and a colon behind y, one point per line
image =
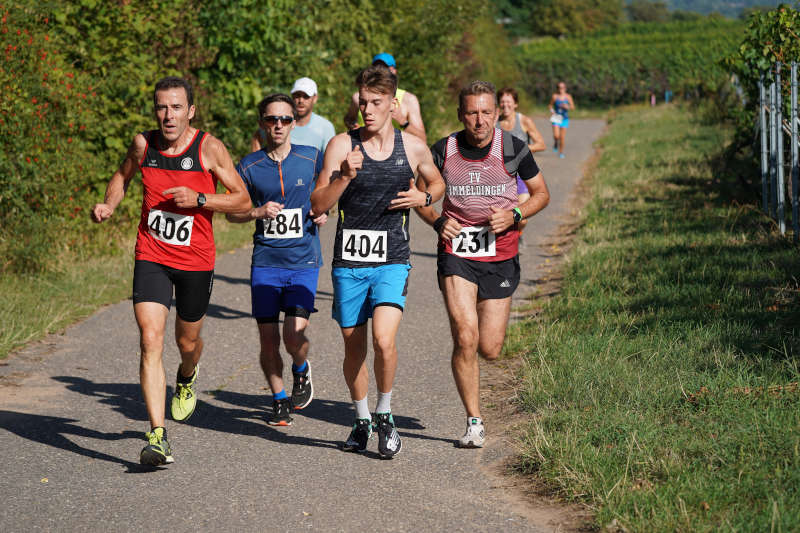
x: 310, y: 129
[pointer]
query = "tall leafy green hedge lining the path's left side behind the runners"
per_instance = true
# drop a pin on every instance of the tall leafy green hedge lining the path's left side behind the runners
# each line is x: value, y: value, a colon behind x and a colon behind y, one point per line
x: 77, y: 81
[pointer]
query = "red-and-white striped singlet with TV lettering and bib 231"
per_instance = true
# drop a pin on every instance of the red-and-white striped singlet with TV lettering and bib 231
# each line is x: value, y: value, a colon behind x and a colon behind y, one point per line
x: 473, y: 187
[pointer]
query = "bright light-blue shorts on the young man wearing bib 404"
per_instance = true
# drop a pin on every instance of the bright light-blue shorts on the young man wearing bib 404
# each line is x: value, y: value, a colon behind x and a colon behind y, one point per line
x: 357, y: 291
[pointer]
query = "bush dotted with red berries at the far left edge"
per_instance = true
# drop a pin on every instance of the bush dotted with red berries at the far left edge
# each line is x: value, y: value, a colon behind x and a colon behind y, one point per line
x: 45, y: 107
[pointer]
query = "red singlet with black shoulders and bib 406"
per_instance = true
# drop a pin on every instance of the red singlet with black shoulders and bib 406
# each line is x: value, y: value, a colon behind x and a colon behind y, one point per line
x: 169, y: 235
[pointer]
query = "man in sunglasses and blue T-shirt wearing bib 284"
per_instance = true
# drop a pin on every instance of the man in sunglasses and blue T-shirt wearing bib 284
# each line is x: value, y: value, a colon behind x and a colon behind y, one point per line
x: 286, y: 250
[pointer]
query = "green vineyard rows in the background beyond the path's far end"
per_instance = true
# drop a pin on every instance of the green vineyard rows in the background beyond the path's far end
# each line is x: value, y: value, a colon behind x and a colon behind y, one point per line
x: 623, y: 65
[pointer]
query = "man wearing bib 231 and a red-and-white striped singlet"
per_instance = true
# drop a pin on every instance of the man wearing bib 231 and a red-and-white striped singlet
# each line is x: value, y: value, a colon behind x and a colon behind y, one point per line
x: 478, y: 266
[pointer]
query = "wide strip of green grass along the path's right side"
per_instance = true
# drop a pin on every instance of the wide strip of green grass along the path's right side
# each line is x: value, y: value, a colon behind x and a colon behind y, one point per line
x: 661, y: 382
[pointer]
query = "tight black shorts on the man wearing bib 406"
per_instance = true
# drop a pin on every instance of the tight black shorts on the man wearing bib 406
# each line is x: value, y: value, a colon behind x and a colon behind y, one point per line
x: 153, y: 282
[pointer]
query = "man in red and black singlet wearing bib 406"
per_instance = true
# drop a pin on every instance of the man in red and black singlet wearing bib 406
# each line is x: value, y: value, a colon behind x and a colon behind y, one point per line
x: 180, y: 167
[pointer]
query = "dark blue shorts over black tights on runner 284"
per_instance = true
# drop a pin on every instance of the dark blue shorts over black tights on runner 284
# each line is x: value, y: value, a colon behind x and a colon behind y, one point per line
x: 274, y: 289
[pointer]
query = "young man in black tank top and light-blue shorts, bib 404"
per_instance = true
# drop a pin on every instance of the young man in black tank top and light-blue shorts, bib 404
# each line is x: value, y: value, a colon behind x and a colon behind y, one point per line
x: 371, y: 172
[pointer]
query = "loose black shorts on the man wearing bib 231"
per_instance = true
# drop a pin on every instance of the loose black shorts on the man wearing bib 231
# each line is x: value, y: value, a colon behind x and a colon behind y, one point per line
x: 495, y: 279
